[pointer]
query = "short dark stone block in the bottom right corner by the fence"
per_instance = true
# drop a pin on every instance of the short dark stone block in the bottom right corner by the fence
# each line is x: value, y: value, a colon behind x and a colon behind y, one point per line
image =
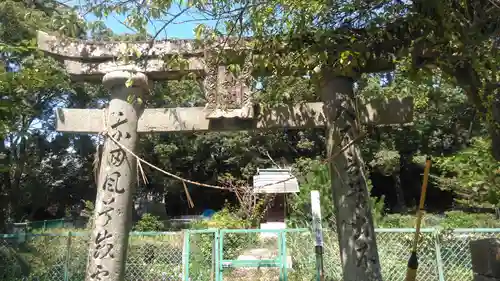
x: 485, y: 256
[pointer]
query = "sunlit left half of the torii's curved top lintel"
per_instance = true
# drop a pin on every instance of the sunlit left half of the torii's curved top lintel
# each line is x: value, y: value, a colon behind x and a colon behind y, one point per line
x: 90, y: 60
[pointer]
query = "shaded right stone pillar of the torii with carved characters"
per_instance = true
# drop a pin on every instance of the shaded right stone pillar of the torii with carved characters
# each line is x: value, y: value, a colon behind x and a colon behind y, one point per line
x: 358, y: 247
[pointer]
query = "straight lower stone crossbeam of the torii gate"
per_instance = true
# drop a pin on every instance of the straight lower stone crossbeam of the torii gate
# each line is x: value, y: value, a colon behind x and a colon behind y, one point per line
x: 308, y: 115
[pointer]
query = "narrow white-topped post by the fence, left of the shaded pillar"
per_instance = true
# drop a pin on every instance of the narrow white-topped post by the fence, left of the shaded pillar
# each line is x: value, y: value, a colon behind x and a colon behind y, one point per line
x: 318, y: 231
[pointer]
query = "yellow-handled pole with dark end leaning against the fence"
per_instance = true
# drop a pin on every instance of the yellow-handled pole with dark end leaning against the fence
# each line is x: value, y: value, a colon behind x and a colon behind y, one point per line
x: 411, y: 272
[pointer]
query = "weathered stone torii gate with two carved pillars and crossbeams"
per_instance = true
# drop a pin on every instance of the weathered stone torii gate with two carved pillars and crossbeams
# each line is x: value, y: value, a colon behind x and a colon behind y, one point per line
x: 229, y: 107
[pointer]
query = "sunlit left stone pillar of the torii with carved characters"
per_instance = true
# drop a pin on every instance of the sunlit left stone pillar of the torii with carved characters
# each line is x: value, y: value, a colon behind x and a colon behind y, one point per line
x: 113, y: 207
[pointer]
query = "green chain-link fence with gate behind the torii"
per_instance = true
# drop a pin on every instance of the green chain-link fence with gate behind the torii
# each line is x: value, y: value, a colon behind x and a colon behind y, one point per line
x: 171, y: 256
